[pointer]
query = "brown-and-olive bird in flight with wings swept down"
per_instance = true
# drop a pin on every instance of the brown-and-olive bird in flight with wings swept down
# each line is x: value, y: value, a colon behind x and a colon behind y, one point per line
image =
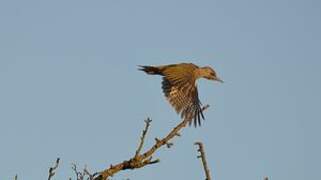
x: 180, y: 89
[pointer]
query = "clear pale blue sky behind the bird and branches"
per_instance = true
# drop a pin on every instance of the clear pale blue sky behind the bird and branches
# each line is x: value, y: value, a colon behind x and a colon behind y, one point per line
x: 69, y: 86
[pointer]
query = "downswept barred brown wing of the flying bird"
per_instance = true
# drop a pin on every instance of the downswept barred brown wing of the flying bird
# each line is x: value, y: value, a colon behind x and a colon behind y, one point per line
x: 183, y: 96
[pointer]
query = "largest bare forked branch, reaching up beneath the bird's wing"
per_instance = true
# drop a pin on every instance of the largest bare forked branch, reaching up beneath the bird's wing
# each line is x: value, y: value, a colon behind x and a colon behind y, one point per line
x: 144, y: 159
